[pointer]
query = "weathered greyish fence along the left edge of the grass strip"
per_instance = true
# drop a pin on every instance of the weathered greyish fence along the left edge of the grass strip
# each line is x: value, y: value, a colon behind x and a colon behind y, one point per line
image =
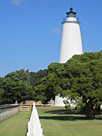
x: 7, y: 111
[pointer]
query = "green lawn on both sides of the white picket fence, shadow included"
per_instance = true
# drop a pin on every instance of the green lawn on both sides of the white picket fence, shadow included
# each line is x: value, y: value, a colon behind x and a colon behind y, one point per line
x: 54, y: 122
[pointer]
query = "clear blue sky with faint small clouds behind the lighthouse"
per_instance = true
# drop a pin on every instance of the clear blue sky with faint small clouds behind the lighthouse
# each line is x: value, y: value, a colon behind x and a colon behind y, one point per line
x: 30, y: 31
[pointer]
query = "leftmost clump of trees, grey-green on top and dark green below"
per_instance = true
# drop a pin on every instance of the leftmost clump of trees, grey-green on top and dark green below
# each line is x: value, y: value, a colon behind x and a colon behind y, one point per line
x: 15, y: 86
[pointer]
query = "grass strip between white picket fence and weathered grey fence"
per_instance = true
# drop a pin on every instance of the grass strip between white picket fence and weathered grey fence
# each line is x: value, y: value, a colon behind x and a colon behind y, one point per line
x: 15, y: 125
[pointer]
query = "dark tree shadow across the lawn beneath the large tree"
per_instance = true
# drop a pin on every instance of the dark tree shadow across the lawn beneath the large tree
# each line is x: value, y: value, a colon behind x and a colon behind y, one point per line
x: 62, y: 115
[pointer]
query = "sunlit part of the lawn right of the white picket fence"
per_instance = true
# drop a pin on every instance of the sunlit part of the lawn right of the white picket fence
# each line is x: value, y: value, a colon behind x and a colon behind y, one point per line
x: 61, y: 124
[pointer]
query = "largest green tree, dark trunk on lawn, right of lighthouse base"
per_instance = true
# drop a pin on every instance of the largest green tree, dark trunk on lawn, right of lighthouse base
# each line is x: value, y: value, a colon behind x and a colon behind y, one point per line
x: 82, y: 81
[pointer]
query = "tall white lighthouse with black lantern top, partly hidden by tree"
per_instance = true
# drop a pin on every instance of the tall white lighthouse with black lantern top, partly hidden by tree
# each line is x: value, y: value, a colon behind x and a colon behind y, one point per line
x: 70, y: 44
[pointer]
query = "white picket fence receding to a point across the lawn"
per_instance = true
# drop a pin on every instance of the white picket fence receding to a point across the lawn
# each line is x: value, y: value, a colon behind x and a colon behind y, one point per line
x: 34, y: 125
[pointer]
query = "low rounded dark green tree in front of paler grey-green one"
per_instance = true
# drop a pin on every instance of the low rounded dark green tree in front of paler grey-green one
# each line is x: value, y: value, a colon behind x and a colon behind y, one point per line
x: 16, y: 91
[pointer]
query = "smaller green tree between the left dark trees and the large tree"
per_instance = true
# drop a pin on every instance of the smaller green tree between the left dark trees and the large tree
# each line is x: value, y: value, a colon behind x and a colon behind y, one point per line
x: 45, y: 90
